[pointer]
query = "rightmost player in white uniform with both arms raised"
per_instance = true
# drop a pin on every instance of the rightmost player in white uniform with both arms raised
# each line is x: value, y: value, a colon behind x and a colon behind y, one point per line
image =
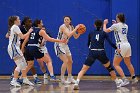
x: 120, y: 33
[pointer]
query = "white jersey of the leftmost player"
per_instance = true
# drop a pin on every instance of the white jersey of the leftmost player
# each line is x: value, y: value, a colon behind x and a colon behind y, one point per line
x: 14, y: 39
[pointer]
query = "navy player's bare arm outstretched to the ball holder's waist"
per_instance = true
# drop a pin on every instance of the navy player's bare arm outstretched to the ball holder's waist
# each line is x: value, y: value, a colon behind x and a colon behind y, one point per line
x: 48, y: 38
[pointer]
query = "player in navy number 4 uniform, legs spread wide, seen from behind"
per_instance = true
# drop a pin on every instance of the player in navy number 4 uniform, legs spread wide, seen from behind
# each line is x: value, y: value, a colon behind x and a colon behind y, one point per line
x: 96, y: 40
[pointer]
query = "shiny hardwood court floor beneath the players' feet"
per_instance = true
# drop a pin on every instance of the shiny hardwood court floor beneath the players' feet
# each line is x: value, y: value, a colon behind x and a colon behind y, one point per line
x: 86, y: 86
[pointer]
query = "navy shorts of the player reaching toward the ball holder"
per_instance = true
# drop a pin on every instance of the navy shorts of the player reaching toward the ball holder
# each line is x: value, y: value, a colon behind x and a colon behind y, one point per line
x: 33, y: 52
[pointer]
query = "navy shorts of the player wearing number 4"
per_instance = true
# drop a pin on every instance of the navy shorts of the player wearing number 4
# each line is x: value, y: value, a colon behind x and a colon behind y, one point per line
x: 99, y: 55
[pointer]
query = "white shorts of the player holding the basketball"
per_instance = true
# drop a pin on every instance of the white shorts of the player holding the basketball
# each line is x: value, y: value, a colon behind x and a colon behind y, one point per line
x: 62, y: 49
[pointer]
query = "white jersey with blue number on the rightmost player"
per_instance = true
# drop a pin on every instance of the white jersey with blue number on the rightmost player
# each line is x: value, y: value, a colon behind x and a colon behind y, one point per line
x: 120, y: 32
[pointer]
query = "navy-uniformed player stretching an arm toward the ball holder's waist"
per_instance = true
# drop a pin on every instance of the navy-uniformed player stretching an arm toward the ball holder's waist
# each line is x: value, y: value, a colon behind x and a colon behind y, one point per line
x: 33, y: 47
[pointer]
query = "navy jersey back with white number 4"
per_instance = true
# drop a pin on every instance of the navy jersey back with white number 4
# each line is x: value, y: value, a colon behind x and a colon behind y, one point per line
x: 96, y: 39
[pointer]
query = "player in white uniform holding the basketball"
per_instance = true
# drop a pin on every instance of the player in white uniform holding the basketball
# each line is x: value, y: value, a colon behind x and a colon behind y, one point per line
x: 66, y: 30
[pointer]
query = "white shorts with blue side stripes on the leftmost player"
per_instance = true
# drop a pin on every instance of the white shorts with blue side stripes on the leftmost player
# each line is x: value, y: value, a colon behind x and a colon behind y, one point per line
x: 14, y: 51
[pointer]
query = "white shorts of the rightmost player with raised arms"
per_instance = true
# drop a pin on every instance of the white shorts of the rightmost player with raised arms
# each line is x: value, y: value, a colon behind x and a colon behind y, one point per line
x: 125, y: 50
